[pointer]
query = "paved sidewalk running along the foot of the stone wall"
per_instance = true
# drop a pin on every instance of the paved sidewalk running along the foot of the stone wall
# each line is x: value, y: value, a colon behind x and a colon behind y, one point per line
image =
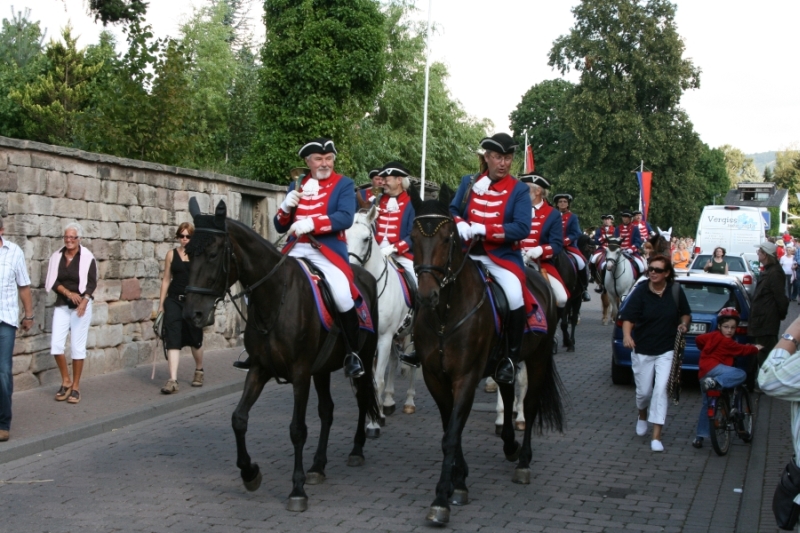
x: 113, y: 400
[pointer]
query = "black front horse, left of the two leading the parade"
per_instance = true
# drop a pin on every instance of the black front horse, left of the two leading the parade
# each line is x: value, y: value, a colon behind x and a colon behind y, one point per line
x: 283, y: 337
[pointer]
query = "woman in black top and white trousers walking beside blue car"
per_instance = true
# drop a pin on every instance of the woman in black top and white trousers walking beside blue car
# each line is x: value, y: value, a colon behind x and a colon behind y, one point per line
x: 657, y: 316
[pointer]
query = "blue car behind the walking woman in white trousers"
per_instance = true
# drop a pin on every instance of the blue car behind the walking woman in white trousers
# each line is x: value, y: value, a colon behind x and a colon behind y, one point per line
x: 707, y: 294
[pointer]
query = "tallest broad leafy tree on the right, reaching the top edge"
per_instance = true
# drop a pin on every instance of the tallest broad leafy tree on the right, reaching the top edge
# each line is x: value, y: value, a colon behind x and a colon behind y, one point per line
x: 625, y: 109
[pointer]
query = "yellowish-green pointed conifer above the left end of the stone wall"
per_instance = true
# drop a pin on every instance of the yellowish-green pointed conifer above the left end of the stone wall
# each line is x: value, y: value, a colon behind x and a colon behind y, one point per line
x: 53, y: 102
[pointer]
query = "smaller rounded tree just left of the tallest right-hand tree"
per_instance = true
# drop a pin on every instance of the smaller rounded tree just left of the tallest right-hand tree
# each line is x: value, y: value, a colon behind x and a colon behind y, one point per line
x: 541, y: 113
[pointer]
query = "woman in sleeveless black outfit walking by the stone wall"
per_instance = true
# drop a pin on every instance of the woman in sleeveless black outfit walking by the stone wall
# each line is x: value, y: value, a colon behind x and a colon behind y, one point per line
x: 178, y: 332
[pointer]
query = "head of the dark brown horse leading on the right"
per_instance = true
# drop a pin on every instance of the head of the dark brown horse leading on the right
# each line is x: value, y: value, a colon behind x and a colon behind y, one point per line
x: 436, y: 244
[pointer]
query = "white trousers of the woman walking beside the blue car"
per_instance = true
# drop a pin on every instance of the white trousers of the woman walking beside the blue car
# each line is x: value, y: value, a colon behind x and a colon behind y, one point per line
x: 651, y: 374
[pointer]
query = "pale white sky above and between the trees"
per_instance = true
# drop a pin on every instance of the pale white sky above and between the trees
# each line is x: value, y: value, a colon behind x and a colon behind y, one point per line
x: 495, y: 51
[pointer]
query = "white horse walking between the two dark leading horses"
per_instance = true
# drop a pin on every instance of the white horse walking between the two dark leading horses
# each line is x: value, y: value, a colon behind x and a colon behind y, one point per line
x: 392, y: 310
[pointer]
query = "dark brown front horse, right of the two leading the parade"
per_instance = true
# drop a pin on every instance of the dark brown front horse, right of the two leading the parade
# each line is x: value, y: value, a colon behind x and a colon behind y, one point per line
x: 454, y: 334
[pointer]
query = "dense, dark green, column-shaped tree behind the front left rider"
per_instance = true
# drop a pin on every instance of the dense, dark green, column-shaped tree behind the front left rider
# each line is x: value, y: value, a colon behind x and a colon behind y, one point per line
x: 322, y: 67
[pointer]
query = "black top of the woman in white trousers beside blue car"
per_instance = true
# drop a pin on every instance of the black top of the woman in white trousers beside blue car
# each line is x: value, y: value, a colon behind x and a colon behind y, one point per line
x: 655, y: 318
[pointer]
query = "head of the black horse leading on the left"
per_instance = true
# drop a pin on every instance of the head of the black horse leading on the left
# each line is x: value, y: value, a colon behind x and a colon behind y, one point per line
x: 210, y: 272
